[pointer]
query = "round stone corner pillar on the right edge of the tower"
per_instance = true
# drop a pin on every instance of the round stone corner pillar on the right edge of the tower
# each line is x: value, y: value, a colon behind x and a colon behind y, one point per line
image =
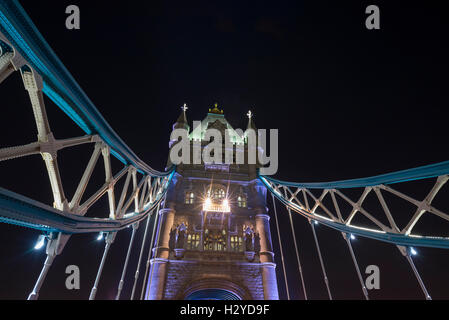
x: 268, y: 266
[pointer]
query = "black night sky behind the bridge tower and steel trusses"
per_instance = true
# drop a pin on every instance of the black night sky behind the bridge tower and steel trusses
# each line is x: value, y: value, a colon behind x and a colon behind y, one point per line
x: 348, y: 102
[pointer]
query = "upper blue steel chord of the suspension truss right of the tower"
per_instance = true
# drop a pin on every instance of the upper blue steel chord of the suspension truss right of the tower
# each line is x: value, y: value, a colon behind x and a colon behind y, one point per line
x: 425, y: 172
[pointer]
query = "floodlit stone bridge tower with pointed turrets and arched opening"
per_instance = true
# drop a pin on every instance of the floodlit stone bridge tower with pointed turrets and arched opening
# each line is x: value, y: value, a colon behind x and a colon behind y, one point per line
x: 214, y: 239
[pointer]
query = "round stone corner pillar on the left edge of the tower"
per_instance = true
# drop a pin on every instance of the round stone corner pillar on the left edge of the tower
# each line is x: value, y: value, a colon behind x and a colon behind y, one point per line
x: 158, y: 272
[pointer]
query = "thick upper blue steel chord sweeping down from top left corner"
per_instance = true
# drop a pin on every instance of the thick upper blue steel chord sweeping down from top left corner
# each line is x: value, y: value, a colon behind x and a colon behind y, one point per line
x: 59, y: 84
